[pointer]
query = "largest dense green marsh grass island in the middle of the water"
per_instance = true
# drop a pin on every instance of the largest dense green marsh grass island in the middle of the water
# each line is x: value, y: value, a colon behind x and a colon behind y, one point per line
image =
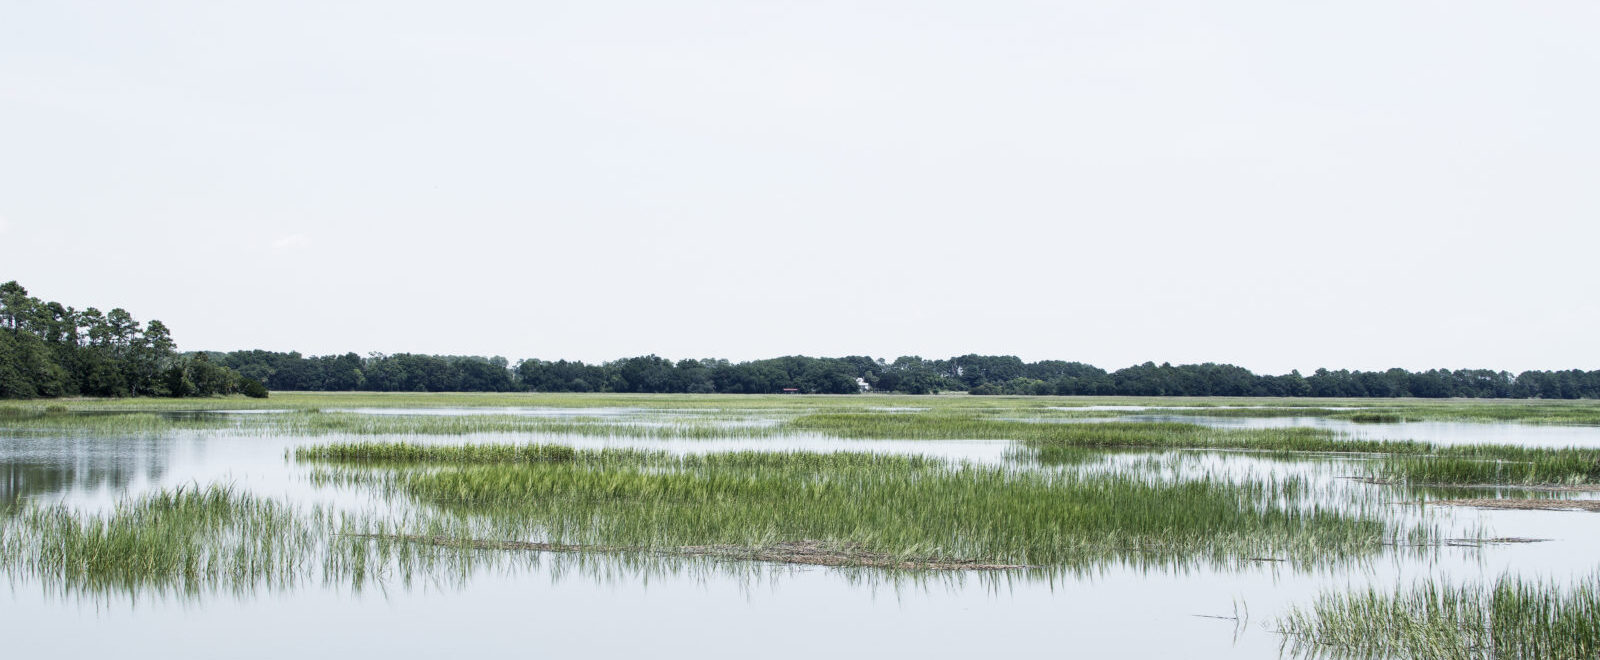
x: 913, y: 509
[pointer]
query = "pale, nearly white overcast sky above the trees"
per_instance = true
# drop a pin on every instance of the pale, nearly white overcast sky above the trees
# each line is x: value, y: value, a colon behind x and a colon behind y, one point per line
x: 1356, y: 185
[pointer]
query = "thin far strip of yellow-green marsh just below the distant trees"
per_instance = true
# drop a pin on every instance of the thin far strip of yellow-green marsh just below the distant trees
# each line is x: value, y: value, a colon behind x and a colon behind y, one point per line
x: 721, y: 411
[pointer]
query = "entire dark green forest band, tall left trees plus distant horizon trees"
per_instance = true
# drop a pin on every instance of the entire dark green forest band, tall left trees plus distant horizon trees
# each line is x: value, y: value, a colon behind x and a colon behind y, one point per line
x: 49, y: 350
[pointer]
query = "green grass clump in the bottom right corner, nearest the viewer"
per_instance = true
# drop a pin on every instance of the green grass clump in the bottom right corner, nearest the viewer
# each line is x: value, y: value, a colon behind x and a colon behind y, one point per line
x: 1510, y: 619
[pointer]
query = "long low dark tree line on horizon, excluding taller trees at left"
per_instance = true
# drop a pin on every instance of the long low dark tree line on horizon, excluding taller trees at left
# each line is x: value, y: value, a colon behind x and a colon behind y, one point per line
x: 910, y: 374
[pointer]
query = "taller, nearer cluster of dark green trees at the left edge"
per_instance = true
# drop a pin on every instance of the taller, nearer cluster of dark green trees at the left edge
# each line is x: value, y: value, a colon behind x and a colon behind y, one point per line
x: 50, y: 350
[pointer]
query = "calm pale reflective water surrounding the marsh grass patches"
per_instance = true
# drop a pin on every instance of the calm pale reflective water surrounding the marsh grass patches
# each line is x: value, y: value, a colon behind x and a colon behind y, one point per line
x: 762, y: 611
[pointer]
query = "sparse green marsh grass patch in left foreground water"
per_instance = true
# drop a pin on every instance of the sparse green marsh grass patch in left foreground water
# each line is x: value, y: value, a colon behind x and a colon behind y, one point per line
x: 196, y: 542
